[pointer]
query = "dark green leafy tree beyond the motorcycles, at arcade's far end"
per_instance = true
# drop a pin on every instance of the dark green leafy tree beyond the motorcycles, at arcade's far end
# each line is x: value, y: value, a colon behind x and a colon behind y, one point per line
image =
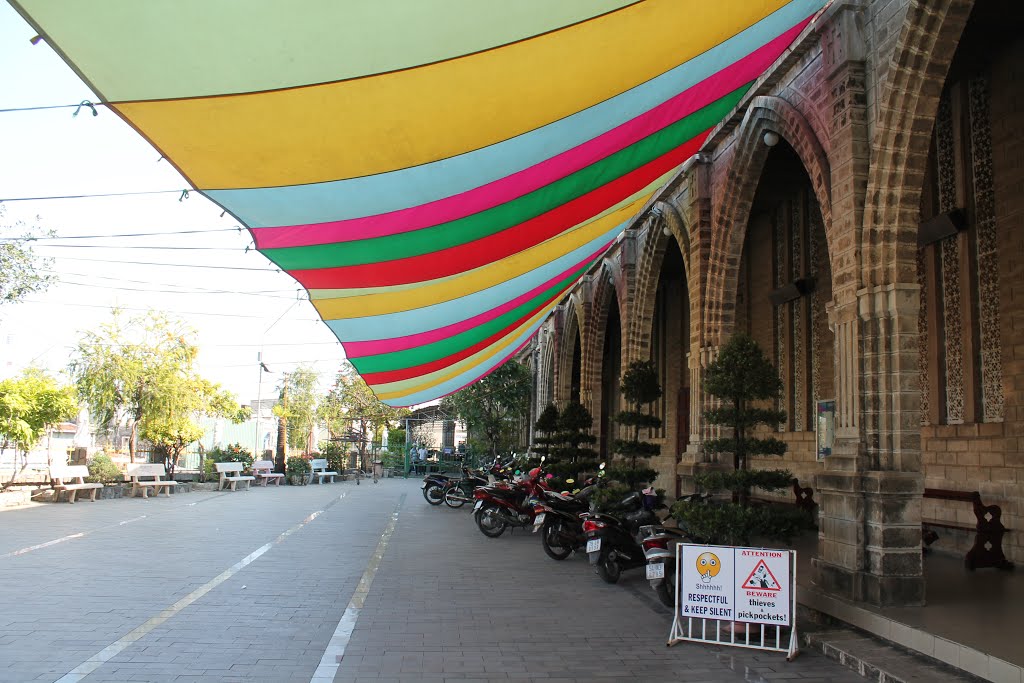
x: 495, y: 407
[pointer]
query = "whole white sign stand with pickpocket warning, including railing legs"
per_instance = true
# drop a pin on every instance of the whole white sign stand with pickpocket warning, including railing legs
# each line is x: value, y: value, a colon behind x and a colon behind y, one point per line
x: 754, y: 589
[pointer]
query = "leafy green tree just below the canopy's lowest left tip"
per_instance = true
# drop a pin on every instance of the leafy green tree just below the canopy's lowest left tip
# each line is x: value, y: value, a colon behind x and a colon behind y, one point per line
x: 352, y: 412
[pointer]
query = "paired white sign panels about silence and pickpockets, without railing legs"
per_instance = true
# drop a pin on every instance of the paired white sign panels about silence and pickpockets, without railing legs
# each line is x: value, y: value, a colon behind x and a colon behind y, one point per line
x: 750, y: 585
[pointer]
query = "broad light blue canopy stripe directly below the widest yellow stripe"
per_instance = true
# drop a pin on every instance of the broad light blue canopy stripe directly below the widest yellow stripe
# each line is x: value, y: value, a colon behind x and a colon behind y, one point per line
x: 355, y: 198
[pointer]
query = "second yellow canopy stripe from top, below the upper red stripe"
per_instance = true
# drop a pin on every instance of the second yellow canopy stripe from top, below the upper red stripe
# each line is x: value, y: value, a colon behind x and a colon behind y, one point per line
x: 479, y: 279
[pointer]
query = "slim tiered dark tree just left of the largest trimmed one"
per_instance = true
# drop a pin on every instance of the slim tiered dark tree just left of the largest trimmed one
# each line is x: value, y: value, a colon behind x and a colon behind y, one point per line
x: 642, y: 389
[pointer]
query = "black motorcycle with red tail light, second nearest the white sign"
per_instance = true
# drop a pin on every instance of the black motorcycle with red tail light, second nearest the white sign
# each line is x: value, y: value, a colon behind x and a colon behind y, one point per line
x: 612, y: 540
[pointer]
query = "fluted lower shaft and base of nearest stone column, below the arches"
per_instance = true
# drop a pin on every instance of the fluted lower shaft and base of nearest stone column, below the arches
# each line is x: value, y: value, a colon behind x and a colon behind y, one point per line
x: 871, y: 491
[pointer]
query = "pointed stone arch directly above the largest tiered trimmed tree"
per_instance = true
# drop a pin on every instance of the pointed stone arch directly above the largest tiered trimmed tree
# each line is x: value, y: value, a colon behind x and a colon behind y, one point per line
x: 765, y: 114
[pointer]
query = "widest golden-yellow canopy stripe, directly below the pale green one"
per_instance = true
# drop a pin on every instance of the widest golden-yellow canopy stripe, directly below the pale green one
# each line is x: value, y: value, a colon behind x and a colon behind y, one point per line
x: 382, y: 123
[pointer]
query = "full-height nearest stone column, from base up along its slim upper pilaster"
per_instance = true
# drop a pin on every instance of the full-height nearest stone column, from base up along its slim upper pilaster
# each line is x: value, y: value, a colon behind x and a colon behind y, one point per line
x: 870, y: 492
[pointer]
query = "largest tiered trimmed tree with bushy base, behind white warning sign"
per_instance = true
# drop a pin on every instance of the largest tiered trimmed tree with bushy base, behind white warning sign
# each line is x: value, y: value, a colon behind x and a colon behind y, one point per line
x: 745, y: 381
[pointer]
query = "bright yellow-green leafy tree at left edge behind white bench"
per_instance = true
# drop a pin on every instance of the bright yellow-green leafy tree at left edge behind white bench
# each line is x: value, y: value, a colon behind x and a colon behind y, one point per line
x: 30, y: 405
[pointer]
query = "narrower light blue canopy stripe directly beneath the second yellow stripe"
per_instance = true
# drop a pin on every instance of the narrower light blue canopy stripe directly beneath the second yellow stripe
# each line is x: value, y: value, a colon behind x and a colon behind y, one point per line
x: 449, y: 313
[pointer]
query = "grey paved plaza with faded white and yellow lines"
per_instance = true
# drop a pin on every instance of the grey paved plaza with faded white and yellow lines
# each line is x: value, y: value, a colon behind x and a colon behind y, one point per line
x: 335, y: 582
